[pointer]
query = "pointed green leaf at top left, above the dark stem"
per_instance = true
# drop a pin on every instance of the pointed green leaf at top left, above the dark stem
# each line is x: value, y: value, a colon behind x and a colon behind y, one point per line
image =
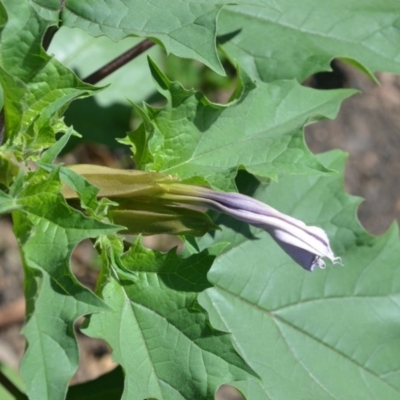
x: 186, y: 29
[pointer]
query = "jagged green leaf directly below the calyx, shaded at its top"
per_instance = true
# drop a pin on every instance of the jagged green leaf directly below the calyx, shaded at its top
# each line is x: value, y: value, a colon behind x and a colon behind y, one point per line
x: 158, y: 332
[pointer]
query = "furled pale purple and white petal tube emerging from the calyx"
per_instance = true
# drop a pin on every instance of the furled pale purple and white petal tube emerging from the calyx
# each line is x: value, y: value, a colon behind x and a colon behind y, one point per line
x: 306, y: 245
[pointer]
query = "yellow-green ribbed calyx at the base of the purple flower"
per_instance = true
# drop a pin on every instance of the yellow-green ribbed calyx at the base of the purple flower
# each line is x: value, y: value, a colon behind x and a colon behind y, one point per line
x: 142, y: 207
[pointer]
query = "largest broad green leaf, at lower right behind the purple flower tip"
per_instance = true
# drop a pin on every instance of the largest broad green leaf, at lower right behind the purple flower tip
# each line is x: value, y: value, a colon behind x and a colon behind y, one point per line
x: 304, y: 333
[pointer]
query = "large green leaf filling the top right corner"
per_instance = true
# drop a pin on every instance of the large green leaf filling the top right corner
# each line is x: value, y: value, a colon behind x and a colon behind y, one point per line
x: 299, y: 38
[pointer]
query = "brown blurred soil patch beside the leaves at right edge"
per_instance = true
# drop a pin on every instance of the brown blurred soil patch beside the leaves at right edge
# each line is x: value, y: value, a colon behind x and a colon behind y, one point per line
x: 368, y: 128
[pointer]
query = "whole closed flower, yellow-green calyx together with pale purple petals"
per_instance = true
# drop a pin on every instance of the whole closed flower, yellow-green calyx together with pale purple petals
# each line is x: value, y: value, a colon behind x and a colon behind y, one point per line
x: 149, y: 201
